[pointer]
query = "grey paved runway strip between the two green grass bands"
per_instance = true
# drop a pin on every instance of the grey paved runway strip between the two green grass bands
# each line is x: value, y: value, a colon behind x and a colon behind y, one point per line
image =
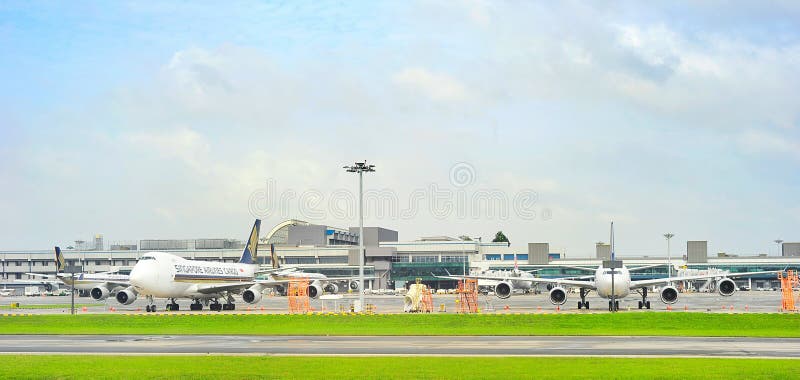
x: 412, y: 345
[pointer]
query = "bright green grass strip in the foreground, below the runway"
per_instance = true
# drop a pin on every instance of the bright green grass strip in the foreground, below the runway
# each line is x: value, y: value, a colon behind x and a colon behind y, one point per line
x: 237, y: 367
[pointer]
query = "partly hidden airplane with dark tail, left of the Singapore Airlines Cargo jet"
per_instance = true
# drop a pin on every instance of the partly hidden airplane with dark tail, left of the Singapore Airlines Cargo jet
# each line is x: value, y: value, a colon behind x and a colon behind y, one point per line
x: 100, y: 285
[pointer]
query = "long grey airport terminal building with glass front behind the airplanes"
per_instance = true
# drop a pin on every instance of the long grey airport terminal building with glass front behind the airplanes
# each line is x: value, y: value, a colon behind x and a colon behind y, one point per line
x: 390, y: 262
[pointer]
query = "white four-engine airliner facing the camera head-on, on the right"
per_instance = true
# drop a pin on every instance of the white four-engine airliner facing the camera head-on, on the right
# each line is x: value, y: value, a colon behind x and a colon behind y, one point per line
x: 622, y: 284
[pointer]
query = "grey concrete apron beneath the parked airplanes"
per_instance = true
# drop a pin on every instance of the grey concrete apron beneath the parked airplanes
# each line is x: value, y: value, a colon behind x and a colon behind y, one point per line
x: 743, y: 301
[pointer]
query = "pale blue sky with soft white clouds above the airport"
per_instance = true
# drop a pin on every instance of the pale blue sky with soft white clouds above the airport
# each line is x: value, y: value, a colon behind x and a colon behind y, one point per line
x: 546, y: 120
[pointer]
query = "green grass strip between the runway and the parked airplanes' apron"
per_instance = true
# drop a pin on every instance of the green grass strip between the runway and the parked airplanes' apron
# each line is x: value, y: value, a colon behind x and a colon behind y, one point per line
x: 657, y: 324
